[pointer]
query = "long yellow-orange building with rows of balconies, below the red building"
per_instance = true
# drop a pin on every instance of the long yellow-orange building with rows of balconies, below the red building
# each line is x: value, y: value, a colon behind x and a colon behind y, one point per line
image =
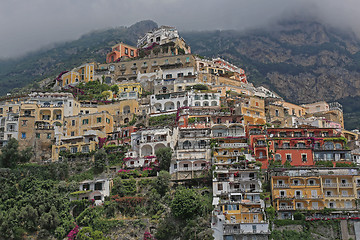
x: 314, y: 189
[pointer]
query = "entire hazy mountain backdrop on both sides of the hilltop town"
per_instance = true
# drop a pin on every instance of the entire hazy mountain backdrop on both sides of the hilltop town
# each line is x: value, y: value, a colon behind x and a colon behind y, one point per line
x: 303, y: 61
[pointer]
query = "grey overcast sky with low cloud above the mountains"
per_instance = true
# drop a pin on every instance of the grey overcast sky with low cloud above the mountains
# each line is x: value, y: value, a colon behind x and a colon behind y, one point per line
x: 27, y: 25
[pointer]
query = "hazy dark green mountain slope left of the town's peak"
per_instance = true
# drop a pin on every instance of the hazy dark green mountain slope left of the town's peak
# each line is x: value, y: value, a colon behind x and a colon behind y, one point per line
x: 17, y: 73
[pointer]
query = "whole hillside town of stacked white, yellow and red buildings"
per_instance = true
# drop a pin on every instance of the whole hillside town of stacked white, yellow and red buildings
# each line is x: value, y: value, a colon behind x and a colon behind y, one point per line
x: 265, y: 158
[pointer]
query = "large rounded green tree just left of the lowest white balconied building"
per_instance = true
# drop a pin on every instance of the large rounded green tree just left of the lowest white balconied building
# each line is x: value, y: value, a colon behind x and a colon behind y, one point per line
x: 186, y: 204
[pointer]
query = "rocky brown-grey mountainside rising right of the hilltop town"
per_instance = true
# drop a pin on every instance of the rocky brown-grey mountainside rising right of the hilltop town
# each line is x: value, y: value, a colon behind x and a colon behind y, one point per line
x: 304, y: 61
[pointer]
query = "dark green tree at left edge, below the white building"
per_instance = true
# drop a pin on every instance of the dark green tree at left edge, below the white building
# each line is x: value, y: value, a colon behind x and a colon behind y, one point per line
x: 10, y: 154
